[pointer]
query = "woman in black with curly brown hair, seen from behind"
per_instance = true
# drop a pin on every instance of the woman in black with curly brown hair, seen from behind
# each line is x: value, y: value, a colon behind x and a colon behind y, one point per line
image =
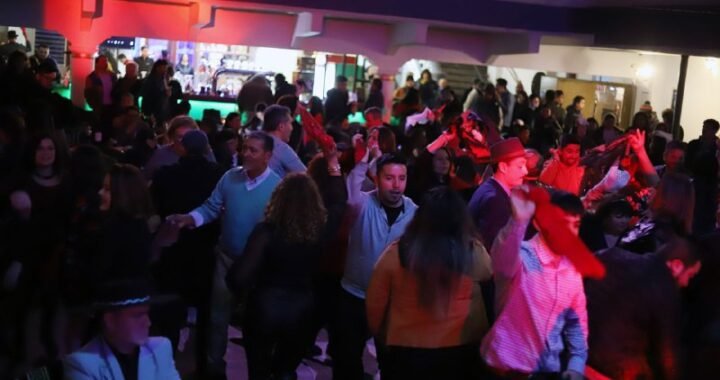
x: 277, y: 269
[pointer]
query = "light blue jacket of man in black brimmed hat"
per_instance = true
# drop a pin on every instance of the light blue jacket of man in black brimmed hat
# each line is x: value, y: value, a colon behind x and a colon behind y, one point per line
x: 96, y: 361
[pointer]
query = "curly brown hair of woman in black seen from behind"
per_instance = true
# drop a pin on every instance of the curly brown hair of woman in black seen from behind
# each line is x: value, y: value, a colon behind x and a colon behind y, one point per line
x: 296, y: 209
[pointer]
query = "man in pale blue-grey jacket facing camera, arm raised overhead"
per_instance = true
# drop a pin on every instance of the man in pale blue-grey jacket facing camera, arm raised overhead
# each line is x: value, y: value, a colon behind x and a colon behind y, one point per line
x: 382, y: 216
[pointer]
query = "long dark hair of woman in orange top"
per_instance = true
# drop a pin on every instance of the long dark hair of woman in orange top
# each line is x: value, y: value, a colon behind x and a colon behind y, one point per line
x: 438, y: 246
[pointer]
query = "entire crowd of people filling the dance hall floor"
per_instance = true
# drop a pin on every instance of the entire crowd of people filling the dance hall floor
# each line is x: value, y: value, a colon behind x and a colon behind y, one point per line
x: 482, y: 236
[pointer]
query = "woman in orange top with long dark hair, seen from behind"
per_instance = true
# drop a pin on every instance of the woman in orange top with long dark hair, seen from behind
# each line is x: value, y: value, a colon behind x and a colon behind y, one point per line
x: 424, y: 301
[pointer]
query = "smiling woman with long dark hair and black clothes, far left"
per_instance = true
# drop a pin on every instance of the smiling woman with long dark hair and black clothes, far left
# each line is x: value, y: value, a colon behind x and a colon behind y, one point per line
x: 41, y: 207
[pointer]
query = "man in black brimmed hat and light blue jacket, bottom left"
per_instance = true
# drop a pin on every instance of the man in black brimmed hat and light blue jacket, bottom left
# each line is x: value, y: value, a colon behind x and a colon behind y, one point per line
x: 123, y: 350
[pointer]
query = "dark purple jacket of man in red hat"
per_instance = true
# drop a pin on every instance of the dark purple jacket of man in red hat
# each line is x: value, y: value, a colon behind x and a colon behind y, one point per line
x: 490, y: 209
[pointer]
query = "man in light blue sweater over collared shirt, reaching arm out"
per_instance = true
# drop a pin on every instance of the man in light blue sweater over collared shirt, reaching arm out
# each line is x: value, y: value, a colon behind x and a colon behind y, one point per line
x: 240, y: 197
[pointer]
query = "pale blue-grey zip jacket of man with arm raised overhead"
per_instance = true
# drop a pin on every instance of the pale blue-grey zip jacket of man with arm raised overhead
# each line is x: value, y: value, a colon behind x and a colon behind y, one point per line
x: 369, y: 232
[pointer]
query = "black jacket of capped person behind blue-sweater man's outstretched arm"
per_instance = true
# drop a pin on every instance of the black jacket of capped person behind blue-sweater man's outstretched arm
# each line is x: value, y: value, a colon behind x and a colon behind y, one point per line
x: 186, y: 267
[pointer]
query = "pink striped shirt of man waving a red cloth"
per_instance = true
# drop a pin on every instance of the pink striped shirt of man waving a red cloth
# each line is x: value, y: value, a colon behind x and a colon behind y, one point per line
x: 540, y: 305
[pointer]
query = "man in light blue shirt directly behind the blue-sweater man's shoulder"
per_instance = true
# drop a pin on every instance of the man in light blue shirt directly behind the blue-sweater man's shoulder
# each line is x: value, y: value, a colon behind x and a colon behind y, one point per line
x: 277, y: 122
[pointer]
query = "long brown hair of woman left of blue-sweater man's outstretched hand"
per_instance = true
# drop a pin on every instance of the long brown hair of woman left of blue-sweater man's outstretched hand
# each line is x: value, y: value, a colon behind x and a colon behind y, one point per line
x: 129, y: 193
